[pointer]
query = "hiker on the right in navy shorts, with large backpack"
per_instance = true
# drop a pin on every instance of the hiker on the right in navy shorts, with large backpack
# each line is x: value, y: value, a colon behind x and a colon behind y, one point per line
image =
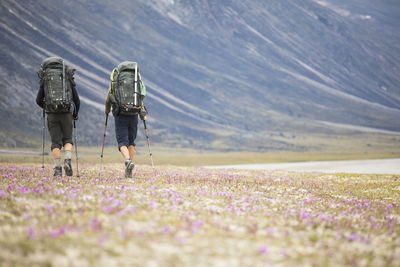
x: 125, y: 95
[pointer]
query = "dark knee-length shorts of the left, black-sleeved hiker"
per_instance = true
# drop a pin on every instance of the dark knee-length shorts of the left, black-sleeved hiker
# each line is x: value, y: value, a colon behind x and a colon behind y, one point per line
x: 60, y: 129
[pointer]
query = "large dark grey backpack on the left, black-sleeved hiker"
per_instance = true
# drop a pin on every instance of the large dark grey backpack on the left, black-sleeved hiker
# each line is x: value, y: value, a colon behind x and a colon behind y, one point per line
x: 57, y: 82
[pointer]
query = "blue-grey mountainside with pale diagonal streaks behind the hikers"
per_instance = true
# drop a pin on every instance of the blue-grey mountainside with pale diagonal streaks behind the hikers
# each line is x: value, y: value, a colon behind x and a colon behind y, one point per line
x: 219, y: 74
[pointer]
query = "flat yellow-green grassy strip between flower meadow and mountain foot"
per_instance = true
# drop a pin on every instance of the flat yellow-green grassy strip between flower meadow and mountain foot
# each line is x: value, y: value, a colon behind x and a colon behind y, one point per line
x: 187, y: 157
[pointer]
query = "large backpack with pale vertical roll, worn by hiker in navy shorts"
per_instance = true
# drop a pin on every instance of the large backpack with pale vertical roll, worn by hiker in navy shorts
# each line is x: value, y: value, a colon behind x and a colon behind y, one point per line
x: 126, y: 88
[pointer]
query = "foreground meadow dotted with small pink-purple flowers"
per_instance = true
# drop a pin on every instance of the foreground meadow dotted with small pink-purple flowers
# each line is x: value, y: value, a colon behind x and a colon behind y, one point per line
x: 189, y: 216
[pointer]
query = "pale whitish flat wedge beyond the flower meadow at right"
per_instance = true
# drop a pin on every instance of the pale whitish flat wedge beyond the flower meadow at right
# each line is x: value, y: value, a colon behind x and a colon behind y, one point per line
x: 375, y: 166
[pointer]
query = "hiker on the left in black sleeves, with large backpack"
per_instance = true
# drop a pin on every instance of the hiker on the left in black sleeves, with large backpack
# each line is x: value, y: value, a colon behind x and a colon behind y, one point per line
x: 58, y: 97
